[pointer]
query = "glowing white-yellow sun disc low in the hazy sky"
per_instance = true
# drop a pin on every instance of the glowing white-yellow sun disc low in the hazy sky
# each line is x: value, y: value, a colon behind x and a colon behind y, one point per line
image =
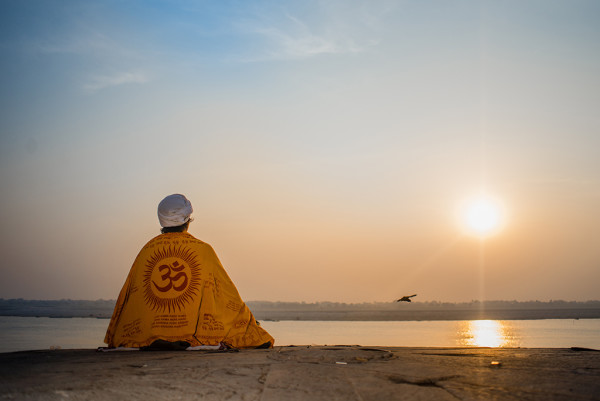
x: 482, y: 215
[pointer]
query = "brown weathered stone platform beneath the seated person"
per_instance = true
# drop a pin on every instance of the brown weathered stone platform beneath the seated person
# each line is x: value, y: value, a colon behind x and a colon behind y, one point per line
x: 304, y: 373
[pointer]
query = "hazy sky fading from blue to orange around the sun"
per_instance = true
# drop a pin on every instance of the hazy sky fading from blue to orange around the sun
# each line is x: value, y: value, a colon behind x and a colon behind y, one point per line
x: 327, y: 147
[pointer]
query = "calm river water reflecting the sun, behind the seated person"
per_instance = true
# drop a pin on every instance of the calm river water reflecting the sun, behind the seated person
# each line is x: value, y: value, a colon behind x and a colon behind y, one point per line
x: 29, y: 333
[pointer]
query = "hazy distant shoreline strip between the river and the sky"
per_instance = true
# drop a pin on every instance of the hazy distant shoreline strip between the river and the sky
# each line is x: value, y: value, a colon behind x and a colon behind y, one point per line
x: 330, y: 311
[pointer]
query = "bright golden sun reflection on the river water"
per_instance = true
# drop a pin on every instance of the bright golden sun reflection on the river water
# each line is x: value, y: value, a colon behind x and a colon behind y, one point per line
x: 486, y: 333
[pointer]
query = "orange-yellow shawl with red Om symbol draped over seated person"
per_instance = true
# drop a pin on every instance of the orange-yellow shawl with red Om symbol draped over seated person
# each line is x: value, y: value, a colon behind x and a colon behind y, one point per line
x: 177, y: 290
